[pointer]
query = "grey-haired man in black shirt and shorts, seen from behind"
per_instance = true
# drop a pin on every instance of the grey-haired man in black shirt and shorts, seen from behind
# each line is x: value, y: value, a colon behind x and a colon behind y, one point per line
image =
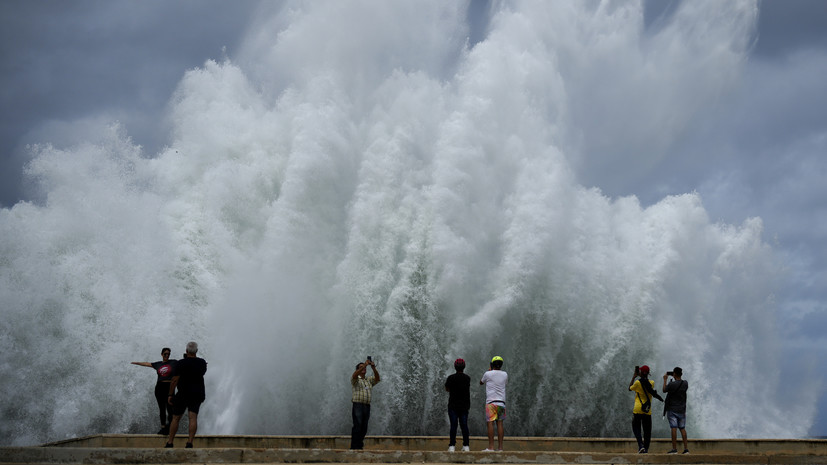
x: 188, y: 378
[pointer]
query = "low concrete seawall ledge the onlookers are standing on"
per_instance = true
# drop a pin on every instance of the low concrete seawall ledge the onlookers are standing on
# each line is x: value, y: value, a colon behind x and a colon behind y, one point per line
x: 133, y: 449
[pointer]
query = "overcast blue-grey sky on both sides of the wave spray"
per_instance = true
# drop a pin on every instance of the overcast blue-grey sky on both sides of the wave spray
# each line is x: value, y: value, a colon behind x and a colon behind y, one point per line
x: 68, y: 67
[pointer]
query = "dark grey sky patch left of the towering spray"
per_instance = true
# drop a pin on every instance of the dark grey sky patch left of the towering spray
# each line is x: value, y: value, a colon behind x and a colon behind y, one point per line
x: 69, y: 62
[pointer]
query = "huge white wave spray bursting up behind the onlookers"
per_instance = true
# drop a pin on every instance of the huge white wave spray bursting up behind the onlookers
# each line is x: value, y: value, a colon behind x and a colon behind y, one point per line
x: 362, y: 181
